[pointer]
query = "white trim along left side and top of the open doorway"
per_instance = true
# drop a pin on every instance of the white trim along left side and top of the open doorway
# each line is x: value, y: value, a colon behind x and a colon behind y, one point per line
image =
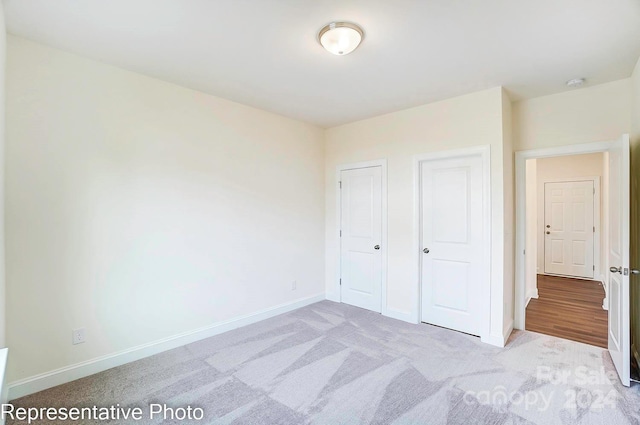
x: 520, y: 162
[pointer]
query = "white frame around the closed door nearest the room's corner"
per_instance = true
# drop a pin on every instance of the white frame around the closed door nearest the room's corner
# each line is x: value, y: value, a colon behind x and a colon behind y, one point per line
x: 383, y: 242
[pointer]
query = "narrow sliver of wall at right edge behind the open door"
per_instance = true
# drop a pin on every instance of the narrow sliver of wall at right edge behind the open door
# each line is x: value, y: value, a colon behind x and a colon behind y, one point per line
x: 635, y: 209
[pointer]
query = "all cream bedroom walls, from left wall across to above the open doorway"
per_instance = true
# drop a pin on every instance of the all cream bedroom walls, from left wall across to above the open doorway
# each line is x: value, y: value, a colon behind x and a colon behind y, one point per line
x: 126, y: 197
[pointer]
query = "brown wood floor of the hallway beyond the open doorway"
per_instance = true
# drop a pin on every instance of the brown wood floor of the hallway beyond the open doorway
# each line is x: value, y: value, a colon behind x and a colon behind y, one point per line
x: 569, y: 308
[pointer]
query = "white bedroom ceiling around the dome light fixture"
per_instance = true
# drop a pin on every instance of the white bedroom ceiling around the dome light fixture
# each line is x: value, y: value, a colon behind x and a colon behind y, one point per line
x: 265, y: 53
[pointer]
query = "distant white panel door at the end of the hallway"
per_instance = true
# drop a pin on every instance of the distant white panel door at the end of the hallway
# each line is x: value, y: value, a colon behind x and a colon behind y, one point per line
x: 569, y: 228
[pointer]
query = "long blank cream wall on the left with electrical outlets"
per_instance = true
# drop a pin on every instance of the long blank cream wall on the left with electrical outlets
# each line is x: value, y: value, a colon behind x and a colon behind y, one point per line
x: 138, y: 209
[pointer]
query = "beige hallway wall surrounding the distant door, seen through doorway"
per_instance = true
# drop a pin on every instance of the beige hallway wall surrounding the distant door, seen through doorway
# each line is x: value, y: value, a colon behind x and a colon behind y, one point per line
x: 567, y: 167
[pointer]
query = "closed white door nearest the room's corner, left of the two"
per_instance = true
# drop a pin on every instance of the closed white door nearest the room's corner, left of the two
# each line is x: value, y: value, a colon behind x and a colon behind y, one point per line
x: 361, y: 234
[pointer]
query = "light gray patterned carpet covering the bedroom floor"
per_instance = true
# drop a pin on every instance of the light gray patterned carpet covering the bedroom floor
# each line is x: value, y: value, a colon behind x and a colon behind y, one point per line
x: 330, y: 363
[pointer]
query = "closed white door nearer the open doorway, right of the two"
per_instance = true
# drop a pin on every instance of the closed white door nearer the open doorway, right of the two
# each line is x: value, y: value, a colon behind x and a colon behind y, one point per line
x: 452, y: 243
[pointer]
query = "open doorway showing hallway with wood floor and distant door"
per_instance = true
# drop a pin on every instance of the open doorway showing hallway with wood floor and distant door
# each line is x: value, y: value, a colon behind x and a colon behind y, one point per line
x: 565, y: 252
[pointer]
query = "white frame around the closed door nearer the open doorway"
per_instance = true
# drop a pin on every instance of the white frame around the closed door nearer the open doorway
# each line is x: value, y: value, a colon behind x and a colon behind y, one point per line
x: 484, y: 152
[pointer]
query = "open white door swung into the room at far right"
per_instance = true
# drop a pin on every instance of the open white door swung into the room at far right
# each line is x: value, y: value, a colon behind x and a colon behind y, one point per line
x: 618, y: 291
